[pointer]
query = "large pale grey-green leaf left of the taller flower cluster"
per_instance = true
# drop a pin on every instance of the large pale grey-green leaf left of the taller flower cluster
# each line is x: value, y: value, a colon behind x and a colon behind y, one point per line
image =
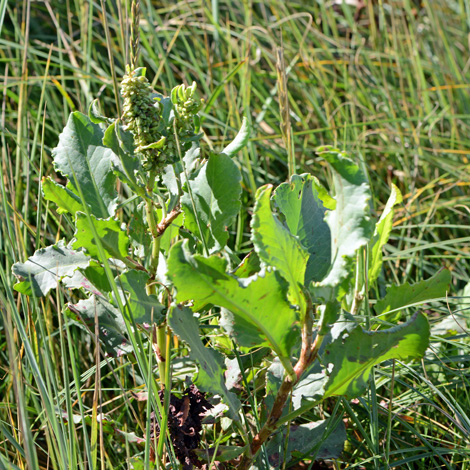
x: 81, y: 157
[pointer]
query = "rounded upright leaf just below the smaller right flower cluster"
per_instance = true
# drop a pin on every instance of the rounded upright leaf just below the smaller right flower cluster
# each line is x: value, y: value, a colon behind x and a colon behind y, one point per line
x: 216, y: 191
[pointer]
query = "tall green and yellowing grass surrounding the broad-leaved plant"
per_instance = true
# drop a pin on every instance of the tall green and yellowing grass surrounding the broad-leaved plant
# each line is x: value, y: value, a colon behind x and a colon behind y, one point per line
x: 390, y: 86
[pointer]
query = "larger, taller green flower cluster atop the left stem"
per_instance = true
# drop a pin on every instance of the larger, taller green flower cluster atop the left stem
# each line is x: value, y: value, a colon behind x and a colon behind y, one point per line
x: 142, y: 116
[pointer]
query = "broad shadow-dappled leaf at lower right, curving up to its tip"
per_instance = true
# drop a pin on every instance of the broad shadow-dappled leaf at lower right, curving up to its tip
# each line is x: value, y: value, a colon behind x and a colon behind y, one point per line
x: 353, y: 352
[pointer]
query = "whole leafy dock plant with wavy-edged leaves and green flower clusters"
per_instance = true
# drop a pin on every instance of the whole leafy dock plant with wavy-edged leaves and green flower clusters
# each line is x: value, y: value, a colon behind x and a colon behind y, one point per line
x: 159, y: 281
